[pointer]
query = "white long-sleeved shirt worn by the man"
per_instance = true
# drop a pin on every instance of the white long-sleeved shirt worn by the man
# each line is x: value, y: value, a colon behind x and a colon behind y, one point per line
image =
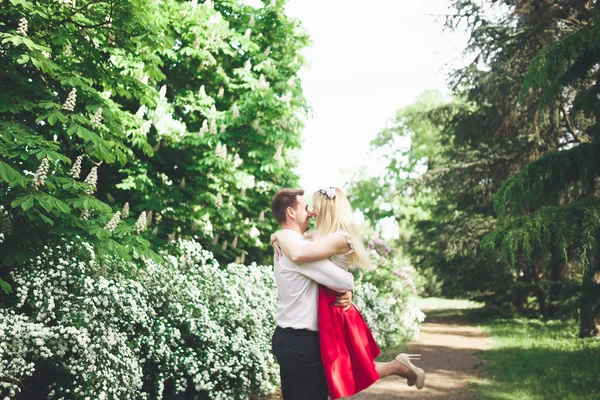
x: 298, y: 287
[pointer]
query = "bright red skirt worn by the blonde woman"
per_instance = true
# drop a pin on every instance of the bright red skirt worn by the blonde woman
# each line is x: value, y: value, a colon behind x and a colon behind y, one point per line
x: 348, y: 349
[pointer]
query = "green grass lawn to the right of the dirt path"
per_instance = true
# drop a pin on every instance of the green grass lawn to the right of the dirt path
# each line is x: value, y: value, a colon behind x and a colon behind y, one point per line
x: 533, y: 360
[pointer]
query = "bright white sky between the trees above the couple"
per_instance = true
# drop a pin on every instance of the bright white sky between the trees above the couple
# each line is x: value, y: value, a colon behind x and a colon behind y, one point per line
x: 368, y: 58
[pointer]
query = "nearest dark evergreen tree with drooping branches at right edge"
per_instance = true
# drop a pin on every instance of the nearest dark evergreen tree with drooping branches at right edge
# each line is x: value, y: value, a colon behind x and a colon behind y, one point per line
x: 553, y: 204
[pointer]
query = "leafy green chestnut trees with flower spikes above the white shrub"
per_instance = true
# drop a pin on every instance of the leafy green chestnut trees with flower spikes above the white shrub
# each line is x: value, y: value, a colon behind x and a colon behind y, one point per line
x: 185, y: 111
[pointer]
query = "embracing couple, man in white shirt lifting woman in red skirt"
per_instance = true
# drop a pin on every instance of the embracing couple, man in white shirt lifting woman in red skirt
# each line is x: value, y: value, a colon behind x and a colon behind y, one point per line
x: 321, y: 342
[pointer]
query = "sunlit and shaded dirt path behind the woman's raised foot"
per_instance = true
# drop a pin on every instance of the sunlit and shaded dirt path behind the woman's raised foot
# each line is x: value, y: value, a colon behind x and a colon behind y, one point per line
x: 448, y: 346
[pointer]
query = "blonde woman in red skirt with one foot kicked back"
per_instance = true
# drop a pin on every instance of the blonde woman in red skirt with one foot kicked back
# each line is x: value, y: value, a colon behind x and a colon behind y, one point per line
x: 348, y: 349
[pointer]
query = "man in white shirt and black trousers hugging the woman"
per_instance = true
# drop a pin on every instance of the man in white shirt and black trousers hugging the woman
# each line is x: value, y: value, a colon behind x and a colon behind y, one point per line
x: 296, y: 338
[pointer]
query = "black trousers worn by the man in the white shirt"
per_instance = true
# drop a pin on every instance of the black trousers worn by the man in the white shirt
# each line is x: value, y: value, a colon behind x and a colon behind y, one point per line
x: 300, y: 366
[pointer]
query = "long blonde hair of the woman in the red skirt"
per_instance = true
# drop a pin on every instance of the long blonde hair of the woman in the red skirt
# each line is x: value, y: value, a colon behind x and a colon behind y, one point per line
x: 334, y: 215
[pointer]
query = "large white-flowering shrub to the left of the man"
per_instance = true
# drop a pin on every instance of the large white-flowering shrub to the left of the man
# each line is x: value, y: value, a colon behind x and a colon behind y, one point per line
x: 116, y: 330
